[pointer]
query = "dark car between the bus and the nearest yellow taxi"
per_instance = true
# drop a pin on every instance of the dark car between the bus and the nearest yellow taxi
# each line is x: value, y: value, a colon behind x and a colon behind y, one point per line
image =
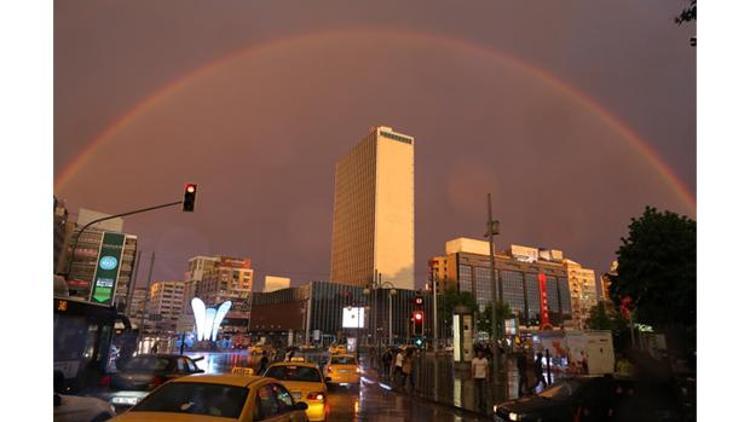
x: 143, y: 373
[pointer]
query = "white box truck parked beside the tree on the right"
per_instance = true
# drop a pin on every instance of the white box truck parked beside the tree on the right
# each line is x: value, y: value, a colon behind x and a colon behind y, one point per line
x: 577, y: 352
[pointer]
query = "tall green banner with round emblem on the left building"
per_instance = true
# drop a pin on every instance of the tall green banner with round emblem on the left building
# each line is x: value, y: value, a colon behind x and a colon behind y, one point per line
x: 107, y: 268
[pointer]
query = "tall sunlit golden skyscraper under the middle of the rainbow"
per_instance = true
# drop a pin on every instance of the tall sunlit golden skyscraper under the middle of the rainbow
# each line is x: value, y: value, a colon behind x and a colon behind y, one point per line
x: 373, y: 211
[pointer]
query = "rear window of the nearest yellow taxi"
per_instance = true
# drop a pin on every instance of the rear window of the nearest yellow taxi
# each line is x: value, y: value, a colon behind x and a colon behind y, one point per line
x: 194, y: 398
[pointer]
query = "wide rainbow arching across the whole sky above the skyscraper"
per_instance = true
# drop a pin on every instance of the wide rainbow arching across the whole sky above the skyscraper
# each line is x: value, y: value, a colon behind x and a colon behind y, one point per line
x: 643, y: 148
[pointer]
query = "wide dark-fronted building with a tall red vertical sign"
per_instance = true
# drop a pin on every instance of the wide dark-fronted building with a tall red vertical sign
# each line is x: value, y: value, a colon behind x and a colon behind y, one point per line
x: 523, y: 274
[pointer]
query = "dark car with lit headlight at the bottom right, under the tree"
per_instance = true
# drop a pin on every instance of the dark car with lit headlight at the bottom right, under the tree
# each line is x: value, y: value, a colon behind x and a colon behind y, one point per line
x: 595, y: 398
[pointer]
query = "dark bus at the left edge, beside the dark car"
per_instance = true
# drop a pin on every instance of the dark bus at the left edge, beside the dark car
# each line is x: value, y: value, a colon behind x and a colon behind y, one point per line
x: 83, y: 336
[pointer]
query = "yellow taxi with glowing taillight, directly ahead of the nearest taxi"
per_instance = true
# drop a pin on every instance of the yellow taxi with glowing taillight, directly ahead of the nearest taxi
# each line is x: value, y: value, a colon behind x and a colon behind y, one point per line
x: 305, y: 382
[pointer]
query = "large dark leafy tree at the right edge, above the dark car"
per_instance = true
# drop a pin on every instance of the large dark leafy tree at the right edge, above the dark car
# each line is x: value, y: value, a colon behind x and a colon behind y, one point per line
x: 657, y: 271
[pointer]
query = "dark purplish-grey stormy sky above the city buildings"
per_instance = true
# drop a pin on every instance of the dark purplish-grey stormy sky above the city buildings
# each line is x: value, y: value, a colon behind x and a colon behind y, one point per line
x: 300, y: 82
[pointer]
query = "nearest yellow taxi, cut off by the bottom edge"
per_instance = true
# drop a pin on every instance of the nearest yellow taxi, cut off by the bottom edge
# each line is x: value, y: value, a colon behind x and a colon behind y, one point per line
x: 218, y: 398
